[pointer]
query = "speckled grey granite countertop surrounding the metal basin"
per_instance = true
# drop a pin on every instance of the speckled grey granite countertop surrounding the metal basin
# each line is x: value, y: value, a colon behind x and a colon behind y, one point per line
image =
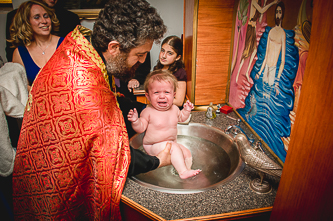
x: 233, y: 196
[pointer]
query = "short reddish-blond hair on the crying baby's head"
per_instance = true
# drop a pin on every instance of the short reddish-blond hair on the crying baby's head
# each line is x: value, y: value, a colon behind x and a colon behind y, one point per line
x: 160, y: 75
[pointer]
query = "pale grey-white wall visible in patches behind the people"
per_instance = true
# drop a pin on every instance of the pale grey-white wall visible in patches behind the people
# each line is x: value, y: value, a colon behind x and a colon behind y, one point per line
x: 171, y: 12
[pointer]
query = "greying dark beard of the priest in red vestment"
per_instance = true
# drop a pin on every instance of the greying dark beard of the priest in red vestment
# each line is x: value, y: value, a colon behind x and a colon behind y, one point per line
x: 118, y: 67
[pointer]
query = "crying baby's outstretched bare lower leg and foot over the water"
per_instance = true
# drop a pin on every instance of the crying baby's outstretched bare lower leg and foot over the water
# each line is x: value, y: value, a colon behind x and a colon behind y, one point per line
x: 178, y: 161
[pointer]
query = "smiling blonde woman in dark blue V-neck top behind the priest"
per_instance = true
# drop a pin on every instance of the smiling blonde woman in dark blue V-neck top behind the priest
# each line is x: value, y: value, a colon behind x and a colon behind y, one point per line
x: 32, y: 33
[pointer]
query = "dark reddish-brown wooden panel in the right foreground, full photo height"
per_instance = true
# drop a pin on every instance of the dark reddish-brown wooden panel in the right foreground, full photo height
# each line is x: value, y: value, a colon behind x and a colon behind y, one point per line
x: 306, y: 187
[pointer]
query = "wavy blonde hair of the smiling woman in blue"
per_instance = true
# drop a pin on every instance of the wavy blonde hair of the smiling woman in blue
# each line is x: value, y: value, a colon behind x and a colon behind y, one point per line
x: 21, y: 32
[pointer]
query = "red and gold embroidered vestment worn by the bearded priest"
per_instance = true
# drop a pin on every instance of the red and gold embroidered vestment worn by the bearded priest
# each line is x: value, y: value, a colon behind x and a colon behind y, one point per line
x: 73, y: 152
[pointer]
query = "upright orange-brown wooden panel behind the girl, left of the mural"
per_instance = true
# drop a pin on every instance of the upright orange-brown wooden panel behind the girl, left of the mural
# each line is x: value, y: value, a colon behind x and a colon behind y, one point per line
x: 213, y: 50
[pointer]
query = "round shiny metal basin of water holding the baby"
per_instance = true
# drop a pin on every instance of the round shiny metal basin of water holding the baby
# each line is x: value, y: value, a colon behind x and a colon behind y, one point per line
x: 213, y: 152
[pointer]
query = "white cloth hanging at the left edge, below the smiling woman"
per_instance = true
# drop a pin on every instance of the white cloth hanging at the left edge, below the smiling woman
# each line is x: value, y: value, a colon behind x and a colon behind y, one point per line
x: 13, y: 98
